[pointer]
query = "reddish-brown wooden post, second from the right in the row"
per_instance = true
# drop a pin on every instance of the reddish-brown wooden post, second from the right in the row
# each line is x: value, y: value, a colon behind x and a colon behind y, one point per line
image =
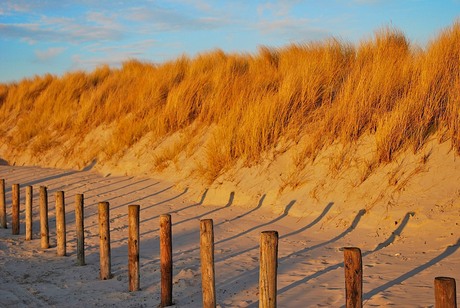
x: 353, y: 277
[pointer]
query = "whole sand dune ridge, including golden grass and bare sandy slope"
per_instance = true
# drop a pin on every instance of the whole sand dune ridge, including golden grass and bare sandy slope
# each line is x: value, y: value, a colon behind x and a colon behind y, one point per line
x: 314, y: 123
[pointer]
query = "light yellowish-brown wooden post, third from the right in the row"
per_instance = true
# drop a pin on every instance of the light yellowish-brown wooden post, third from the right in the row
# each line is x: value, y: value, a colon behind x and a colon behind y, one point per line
x: 268, y: 268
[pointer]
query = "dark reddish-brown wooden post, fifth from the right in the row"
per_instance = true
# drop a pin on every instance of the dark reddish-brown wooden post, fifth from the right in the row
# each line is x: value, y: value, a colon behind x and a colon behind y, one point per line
x: 166, y: 260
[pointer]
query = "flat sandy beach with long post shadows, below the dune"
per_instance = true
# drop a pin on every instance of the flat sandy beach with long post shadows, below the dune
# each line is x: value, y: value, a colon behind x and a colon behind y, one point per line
x: 400, y: 263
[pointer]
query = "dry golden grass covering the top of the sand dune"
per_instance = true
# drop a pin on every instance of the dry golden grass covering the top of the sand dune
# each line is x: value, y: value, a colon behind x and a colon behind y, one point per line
x: 321, y: 92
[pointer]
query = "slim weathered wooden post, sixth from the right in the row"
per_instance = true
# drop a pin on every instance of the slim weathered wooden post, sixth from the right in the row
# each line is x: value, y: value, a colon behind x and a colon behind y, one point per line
x: 133, y: 247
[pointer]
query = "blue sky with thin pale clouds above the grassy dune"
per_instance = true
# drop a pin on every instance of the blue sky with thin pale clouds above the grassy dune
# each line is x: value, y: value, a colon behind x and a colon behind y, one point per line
x: 40, y: 36
